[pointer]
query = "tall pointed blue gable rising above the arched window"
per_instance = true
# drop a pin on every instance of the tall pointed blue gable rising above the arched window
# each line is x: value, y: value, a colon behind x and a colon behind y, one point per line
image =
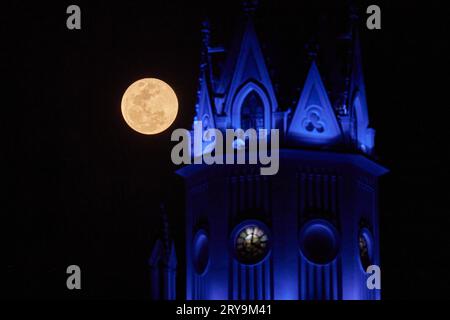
x: 249, y: 66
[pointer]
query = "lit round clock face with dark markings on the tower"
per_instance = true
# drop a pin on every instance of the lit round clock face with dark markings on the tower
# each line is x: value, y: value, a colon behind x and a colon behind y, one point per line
x: 251, y: 244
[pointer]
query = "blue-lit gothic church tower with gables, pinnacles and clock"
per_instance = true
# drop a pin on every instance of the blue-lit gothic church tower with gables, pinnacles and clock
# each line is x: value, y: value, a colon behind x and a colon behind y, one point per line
x: 311, y: 230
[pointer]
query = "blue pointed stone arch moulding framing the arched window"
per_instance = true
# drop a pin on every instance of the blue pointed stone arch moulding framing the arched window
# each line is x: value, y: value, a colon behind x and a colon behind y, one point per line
x: 239, y: 99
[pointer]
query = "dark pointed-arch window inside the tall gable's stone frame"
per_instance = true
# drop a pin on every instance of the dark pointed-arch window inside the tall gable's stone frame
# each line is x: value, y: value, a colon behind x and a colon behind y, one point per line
x: 252, y: 112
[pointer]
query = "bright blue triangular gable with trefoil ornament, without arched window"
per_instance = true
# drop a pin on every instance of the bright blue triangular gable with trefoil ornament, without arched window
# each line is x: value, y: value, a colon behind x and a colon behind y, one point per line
x: 314, y: 121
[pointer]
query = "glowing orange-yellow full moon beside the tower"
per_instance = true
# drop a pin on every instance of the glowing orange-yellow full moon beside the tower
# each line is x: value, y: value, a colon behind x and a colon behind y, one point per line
x: 149, y: 106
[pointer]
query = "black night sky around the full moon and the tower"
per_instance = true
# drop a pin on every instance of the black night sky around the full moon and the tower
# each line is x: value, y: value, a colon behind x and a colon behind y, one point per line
x: 82, y: 188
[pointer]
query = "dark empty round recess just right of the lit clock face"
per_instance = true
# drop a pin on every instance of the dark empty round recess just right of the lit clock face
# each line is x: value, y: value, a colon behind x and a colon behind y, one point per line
x: 319, y: 241
